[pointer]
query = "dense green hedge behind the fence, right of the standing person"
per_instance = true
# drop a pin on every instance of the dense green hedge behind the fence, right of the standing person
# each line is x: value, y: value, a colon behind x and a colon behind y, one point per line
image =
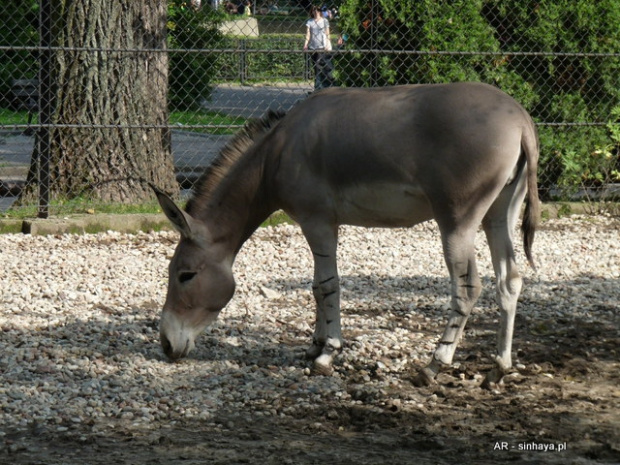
x: 570, y: 77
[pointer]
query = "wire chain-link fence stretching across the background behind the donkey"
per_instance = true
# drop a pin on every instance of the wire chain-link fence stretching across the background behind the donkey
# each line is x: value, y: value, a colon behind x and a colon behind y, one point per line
x: 97, y: 98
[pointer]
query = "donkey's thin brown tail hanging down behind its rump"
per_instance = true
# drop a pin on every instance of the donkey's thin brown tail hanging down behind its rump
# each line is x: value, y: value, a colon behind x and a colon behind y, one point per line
x: 531, y: 215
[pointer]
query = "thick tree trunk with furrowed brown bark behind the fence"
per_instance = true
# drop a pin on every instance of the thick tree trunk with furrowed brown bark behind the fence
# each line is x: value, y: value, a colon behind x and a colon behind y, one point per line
x: 110, y: 72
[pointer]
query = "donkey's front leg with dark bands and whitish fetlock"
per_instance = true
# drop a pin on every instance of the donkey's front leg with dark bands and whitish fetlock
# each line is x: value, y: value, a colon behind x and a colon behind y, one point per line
x: 327, y: 339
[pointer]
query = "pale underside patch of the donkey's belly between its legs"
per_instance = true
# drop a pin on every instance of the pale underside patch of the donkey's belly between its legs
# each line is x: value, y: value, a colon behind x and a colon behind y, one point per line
x: 382, y: 205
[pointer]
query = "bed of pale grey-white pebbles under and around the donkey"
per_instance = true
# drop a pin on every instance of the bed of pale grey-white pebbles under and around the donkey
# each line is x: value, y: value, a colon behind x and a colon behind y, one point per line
x: 79, y: 317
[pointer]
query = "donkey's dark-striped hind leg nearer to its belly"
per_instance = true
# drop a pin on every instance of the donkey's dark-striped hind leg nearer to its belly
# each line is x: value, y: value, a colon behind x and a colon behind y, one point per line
x: 465, y: 288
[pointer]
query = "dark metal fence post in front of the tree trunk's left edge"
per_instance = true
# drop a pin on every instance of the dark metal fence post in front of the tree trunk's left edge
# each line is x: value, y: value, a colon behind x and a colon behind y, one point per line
x: 45, y: 110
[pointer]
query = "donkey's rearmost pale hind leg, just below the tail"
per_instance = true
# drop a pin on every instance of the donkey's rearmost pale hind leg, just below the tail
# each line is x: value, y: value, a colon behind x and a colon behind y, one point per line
x: 499, y: 225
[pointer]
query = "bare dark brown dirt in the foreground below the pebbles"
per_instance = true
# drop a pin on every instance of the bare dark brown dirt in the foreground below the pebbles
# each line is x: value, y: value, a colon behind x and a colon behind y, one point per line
x: 563, y: 408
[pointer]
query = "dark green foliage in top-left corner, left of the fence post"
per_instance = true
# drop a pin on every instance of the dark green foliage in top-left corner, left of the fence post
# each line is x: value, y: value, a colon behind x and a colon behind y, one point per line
x: 19, y: 29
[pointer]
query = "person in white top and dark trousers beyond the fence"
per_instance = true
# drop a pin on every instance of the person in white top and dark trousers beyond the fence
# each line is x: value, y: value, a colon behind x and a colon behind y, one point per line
x: 318, y: 42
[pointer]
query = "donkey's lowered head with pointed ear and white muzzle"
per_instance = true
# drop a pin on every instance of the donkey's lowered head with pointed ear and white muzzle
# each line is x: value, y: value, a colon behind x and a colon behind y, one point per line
x: 200, y: 282
